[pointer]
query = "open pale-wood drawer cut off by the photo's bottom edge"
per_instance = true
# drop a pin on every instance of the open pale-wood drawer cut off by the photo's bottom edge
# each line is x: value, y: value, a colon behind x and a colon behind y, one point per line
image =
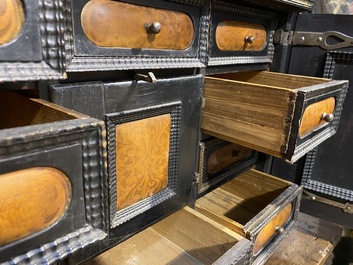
x: 185, y: 237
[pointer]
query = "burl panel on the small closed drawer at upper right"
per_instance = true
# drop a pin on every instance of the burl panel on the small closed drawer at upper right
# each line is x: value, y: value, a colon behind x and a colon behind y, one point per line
x: 231, y: 36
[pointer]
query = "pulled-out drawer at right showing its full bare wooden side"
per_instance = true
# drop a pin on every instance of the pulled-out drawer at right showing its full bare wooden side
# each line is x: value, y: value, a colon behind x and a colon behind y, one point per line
x: 282, y: 115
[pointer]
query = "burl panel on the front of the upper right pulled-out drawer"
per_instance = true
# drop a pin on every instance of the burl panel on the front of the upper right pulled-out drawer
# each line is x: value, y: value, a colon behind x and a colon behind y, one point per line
x: 311, y: 119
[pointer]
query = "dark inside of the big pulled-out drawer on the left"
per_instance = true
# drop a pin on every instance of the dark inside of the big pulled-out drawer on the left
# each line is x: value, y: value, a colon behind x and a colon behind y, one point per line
x: 17, y: 110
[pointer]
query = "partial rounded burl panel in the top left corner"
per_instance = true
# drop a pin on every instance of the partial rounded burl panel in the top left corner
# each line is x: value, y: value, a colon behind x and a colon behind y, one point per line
x: 11, y: 20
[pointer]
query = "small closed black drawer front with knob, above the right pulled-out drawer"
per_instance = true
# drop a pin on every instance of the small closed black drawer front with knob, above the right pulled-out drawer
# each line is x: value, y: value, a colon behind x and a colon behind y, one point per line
x: 239, y: 37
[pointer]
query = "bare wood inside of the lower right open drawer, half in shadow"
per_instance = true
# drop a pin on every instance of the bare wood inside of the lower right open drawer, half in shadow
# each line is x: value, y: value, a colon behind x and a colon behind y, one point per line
x: 241, y: 199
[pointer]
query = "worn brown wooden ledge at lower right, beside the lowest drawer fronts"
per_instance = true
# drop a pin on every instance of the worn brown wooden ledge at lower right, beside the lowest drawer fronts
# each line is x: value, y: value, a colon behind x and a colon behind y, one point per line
x: 310, y: 242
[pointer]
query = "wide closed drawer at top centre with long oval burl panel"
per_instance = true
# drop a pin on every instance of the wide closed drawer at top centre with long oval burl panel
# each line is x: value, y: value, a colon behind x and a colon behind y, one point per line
x: 106, y: 32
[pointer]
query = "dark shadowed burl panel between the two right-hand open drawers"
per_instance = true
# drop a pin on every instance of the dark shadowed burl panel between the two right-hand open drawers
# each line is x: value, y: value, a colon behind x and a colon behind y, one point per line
x: 225, y: 156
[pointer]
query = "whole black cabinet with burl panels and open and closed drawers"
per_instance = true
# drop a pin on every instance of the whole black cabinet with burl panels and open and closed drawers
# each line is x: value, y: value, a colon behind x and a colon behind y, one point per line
x: 116, y: 115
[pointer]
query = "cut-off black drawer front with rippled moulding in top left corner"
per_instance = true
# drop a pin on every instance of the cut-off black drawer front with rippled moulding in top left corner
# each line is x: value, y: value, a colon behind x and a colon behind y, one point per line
x: 39, y: 26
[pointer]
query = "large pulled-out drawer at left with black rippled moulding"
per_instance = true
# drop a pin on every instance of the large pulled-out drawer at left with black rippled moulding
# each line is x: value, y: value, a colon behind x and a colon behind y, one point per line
x: 52, y: 180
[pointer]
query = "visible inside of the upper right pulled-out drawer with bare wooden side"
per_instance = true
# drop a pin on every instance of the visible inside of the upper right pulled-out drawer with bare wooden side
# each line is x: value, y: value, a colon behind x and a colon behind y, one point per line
x: 275, y: 80
